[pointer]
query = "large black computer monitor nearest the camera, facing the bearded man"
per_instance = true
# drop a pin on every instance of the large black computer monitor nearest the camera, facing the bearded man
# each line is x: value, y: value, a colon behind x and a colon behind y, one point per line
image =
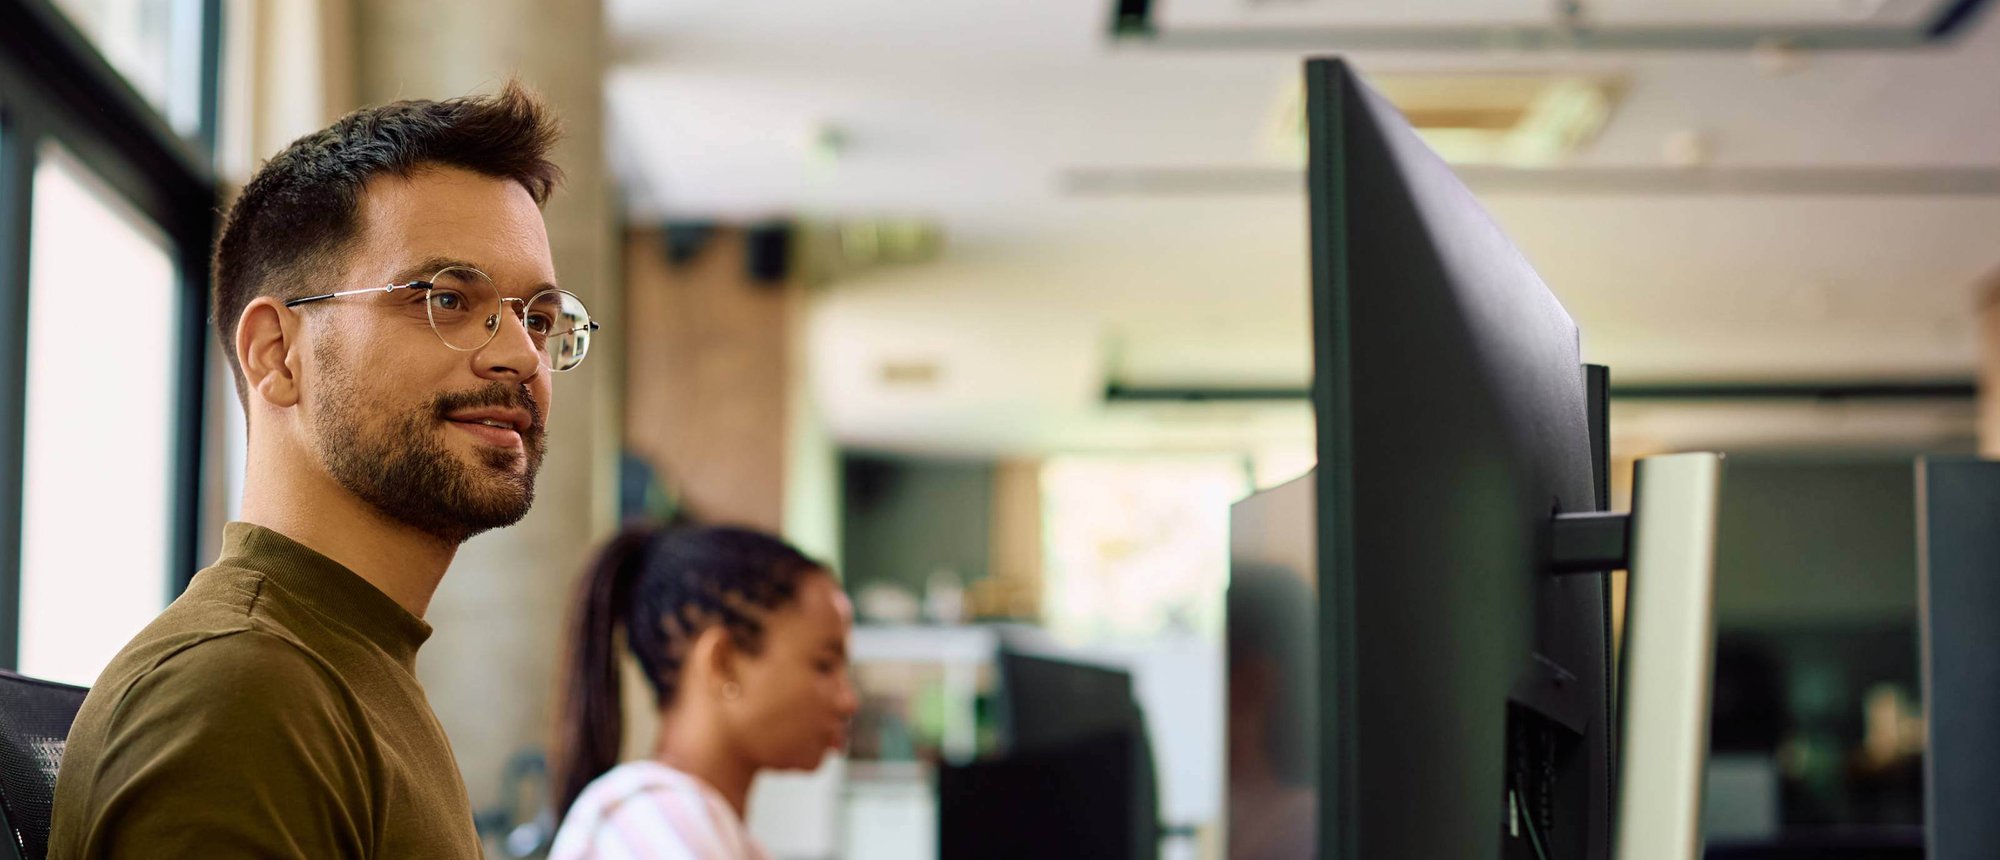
x: 1465, y: 691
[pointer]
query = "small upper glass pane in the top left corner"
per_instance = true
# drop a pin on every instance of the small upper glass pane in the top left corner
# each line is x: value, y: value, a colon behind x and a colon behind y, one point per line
x: 157, y: 45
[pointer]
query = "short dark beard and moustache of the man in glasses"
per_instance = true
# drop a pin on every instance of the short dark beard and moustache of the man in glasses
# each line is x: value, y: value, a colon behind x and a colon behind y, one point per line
x: 409, y: 473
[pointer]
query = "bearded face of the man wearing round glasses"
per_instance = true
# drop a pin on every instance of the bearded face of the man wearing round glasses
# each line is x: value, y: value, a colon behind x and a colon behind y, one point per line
x: 397, y: 417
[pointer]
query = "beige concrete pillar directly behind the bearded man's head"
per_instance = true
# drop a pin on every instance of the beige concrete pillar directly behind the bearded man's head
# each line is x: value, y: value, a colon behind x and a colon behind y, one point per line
x: 491, y: 667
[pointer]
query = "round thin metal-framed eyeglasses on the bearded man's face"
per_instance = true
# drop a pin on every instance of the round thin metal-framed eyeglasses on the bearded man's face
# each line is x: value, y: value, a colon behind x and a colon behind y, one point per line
x: 463, y: 309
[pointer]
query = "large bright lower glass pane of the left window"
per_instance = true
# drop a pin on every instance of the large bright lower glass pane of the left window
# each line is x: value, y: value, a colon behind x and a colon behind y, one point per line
x: 99, y: 427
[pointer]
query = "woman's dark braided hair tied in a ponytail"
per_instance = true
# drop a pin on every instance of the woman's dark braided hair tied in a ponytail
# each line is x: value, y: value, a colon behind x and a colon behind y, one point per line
x: 663, y: 587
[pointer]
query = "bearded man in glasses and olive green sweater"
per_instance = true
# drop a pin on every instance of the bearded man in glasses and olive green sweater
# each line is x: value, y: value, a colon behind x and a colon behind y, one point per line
x: 387, y: 299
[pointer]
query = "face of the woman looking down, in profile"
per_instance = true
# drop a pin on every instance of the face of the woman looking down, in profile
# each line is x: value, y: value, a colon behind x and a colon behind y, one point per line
x: 797, y: 697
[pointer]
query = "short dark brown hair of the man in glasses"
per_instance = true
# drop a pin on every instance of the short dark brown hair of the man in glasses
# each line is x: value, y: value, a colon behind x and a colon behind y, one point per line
x: 303, y: 207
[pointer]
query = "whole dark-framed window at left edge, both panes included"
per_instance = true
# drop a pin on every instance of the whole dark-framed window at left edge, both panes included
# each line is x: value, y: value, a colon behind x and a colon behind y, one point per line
x: 107, y: 217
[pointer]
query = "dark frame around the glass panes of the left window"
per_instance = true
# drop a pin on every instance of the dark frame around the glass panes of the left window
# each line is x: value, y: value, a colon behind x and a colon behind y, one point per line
x: 57, y: 87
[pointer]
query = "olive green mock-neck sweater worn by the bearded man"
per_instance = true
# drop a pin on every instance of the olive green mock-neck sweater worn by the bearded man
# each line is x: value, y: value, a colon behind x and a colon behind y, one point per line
x: 275, y: 713
